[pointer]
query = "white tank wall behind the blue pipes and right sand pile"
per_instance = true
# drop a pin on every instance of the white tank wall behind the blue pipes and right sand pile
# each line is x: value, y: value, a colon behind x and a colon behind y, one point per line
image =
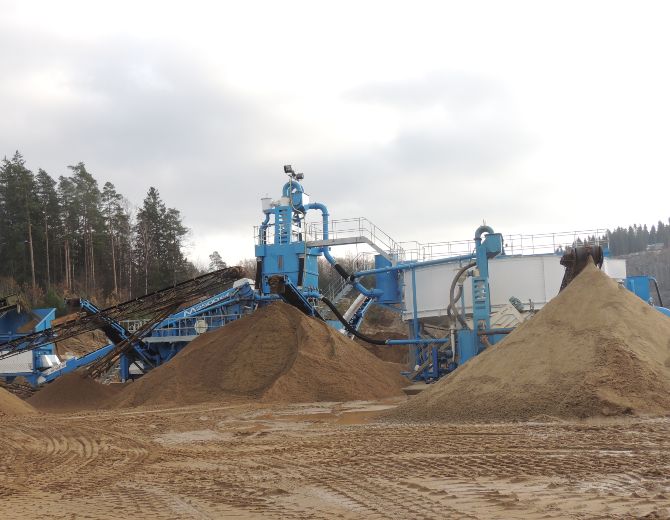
x: 531, y: 278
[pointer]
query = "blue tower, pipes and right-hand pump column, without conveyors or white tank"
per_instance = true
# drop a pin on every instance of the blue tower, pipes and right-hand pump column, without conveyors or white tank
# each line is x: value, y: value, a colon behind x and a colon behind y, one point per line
x: 288, y: 265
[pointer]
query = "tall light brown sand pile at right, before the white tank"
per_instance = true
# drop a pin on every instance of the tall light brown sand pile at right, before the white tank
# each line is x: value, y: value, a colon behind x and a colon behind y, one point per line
x: 594, y: 350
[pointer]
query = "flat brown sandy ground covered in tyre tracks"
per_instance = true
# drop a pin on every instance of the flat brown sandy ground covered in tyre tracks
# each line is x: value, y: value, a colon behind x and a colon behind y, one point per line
x: 326, y: 461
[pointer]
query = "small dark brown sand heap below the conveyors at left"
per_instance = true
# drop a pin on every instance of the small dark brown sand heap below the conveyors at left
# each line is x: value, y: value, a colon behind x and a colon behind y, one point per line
x: 73, y: 392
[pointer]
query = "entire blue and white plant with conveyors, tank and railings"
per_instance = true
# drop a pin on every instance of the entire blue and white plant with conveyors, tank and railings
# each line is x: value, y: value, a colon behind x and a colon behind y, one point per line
x: 455, y: 305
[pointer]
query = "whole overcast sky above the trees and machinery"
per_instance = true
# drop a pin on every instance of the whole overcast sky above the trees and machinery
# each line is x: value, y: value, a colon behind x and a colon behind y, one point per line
x: 427, y: 118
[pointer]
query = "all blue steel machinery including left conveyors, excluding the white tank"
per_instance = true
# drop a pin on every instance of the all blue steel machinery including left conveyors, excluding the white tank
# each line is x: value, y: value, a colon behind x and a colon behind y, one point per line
x: 287, y: 269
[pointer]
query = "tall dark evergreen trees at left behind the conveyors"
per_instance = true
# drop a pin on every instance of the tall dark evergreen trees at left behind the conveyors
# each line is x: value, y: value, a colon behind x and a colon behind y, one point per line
x: 69, y: 237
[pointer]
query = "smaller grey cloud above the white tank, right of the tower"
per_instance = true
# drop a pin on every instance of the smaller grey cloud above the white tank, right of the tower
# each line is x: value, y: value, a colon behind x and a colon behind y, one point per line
x: 478, y: 131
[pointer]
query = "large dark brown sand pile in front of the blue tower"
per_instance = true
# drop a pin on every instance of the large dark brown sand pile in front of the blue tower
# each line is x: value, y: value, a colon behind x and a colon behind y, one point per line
x: 275, y: 354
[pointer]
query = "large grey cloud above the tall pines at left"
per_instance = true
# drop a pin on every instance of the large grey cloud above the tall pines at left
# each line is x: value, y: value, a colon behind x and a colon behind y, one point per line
x: 139, y: 115
